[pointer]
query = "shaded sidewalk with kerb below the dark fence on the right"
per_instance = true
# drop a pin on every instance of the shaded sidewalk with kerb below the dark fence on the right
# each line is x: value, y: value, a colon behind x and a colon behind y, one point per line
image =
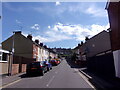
x: 99, y: 82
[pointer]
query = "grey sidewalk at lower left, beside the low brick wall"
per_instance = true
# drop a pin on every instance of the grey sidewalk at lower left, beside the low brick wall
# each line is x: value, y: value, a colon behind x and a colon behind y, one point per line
x: 9, y: 79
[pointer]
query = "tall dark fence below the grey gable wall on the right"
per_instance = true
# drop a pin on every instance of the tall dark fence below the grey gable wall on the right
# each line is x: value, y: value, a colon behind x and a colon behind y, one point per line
x: 102, y: 65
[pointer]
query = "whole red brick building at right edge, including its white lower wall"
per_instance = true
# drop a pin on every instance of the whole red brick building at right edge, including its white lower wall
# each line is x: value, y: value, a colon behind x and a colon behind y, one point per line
x: 113, y: 9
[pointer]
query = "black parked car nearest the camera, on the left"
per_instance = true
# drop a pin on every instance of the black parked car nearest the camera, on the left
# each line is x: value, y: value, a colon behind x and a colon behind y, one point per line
x: 36, y: 68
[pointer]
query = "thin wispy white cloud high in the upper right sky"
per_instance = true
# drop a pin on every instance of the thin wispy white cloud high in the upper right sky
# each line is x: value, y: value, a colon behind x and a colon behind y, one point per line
x: 89, y: 8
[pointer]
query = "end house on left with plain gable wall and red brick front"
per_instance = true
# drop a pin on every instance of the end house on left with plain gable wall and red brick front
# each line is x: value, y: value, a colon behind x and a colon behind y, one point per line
x: 23, y: 46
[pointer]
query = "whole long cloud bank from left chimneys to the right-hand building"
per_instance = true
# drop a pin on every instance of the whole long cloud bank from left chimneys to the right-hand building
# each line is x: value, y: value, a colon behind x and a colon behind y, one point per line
x: 59, y: 32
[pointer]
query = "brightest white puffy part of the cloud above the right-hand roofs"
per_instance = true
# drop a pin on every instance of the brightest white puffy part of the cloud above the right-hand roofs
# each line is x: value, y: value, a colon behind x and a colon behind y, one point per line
x: 78, y: 32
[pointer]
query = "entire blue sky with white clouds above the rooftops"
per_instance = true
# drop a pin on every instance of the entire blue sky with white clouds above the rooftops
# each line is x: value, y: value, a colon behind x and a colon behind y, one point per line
x: 56, y: 24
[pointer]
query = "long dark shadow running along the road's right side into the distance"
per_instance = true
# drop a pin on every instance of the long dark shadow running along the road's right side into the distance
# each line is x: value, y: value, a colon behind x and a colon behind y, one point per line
x: 97, y: 80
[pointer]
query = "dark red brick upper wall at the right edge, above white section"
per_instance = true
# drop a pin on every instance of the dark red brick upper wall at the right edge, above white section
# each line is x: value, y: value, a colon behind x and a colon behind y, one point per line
x: 114, y: 19
